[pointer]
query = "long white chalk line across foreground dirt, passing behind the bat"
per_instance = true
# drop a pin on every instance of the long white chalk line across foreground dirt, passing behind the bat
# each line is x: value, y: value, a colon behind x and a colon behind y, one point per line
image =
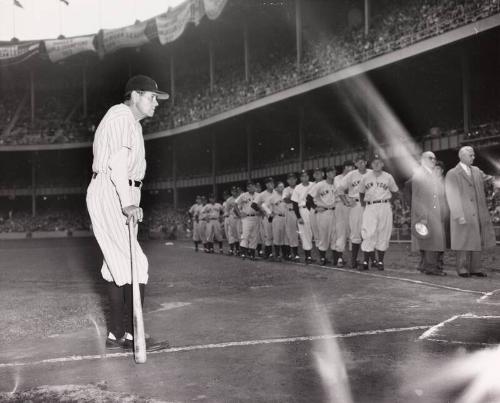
x: 245, y: 343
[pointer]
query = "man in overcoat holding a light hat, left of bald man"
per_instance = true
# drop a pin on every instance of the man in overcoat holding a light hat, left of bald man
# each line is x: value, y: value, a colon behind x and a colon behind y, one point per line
x: 428, y: 207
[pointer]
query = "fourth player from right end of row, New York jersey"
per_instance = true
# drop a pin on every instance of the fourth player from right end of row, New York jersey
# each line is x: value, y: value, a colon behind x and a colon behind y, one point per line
x: 324, y: 196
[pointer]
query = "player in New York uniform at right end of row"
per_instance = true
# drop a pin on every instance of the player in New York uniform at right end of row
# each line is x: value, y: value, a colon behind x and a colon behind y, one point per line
x: 375, y: 192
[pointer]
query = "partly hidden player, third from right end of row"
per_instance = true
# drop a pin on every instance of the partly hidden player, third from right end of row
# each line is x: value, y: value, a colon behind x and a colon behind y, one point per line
x: 341, y: 217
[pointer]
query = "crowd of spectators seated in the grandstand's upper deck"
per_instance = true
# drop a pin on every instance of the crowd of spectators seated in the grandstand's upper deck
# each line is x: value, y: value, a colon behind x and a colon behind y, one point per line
x: 397, y: 26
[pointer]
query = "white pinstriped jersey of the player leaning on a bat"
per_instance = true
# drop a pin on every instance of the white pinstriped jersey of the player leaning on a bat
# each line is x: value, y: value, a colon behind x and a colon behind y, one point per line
x: 119, y: 129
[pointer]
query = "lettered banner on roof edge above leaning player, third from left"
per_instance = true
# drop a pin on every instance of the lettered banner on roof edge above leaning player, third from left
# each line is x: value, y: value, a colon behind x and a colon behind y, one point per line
x: 127, y: 37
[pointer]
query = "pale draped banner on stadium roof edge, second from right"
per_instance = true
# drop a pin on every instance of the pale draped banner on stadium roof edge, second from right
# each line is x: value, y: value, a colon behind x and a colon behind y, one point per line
x: 172, y: 24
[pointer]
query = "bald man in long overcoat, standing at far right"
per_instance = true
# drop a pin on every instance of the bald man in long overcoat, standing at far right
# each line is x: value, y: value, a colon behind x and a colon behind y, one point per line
x: 470, y: 221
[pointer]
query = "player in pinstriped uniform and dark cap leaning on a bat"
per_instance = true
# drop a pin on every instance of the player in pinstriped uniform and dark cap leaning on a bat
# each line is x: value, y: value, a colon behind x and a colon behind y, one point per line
x: 113, y: 199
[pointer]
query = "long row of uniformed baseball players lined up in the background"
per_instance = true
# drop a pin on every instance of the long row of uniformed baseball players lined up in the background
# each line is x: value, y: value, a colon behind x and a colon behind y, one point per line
x: 327, y: 212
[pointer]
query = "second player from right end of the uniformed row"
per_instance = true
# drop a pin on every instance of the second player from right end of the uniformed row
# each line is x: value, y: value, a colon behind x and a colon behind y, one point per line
x: 351, y: 185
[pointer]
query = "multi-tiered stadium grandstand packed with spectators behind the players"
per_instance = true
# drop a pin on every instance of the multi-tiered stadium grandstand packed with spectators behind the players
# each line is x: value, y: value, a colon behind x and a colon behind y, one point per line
x: 258, y: 88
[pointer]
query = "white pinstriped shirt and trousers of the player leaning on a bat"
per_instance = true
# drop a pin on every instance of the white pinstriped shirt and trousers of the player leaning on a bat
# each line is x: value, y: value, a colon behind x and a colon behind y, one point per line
x: 117, y: 131
